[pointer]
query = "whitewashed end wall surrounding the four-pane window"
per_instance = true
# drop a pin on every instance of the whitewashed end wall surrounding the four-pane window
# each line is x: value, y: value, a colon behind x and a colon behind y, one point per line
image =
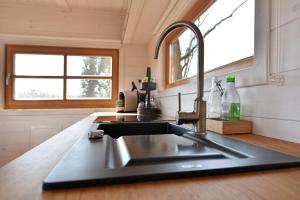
x: 23, y: 129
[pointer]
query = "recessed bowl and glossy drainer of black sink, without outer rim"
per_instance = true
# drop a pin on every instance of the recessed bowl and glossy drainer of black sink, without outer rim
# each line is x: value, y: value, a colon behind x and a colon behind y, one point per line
x: 132, y: 144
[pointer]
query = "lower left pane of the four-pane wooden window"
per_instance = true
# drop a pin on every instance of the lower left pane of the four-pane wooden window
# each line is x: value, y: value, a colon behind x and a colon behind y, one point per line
x: 38, y: 89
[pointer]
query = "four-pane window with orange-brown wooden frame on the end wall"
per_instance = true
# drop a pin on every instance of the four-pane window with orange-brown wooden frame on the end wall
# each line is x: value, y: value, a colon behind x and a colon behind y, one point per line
x: 60, y: 77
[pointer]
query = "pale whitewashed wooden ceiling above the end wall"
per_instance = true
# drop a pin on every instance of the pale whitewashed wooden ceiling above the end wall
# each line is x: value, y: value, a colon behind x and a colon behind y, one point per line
x: 139, y: 17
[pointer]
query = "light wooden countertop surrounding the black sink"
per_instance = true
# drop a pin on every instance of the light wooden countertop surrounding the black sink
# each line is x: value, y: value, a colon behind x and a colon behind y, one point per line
x: 22, y: 178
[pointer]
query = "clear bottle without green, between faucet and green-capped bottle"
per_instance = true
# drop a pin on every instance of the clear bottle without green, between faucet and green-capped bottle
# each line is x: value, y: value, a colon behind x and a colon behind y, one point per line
x: 214, y: 100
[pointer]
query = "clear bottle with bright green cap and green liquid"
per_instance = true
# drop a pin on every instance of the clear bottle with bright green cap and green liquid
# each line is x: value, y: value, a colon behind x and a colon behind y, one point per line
x: 230, y: 101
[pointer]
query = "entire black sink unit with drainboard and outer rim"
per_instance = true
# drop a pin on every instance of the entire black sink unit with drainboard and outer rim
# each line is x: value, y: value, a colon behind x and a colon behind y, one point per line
x: 138, y: 151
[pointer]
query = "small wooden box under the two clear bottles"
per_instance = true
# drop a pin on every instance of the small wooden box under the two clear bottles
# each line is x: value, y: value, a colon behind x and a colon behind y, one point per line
x: 228, y: 127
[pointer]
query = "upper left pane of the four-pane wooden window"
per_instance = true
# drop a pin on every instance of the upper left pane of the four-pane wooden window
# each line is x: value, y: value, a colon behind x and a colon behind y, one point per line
x: 39, y: 65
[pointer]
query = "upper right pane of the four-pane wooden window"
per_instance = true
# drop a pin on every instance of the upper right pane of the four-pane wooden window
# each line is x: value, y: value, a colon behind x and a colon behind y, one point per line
x: 89, y: 66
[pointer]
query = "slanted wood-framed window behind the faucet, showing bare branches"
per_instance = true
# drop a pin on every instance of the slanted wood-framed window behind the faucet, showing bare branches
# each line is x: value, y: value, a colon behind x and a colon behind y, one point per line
x: 228, y: 30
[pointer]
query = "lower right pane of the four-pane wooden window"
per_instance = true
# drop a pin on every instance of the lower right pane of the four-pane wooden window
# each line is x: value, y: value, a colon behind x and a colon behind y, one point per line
x: 88, y: 89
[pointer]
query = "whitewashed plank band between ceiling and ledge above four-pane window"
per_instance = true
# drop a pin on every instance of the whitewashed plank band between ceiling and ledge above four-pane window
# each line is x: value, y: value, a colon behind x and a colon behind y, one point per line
x: 51, y: 22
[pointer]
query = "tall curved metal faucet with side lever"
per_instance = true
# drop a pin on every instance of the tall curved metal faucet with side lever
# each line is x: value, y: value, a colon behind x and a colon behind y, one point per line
x: 198, y: 116
